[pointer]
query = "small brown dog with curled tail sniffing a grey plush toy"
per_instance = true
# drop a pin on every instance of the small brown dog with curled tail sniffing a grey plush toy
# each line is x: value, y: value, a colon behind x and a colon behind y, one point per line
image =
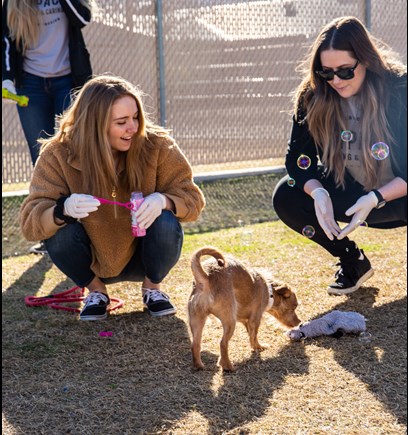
x: 232, y: 292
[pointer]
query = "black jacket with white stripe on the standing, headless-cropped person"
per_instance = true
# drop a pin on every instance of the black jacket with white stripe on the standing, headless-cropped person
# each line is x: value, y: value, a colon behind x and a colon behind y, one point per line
x: 78, y: 16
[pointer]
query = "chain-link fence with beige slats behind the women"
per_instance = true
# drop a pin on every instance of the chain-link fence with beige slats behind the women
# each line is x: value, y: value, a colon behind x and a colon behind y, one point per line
x: 218, y: 73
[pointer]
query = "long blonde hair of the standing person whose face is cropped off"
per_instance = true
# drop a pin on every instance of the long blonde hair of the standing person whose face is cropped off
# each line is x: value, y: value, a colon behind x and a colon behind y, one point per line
x: 22, y: 20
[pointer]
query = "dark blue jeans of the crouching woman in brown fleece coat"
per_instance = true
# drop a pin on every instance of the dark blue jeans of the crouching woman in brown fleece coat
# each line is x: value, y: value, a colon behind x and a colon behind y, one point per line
x: 155, y: 254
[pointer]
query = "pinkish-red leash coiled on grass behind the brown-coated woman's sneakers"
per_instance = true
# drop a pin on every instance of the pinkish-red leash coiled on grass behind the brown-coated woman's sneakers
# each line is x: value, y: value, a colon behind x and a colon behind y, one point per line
x: 74, y: 294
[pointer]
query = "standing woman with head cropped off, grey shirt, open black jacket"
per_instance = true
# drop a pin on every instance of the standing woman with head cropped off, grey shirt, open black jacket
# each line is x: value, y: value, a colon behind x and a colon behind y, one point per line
x: 44, y: 57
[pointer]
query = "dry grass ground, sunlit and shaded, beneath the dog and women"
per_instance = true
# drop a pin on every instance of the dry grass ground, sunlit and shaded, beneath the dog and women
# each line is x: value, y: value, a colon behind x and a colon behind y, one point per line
x: 60, y: 377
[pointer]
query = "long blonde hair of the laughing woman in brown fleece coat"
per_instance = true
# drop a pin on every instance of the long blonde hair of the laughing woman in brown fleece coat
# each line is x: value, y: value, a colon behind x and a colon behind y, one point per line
x: 83, y: 129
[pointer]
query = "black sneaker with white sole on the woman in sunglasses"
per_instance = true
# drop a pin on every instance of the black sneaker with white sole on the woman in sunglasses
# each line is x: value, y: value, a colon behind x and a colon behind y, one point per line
x: 350, y: 276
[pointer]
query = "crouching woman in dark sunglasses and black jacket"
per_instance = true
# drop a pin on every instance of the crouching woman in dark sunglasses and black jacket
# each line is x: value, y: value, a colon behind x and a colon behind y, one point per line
x: 347, y: 154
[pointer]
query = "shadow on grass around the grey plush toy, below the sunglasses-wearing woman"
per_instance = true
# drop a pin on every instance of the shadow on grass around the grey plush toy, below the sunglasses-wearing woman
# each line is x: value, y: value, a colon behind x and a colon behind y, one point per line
x: 381, y: 361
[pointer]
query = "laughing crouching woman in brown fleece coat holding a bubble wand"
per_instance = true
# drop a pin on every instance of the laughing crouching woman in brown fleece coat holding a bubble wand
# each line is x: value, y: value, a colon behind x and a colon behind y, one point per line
x: 106, y: 147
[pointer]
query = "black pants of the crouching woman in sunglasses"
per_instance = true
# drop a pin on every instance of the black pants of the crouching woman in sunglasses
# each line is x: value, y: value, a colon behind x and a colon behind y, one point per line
x: 296, y: 209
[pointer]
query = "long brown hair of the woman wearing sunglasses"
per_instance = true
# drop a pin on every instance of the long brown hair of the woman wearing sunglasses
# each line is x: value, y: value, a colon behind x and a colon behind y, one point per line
x: 322, y: 104
